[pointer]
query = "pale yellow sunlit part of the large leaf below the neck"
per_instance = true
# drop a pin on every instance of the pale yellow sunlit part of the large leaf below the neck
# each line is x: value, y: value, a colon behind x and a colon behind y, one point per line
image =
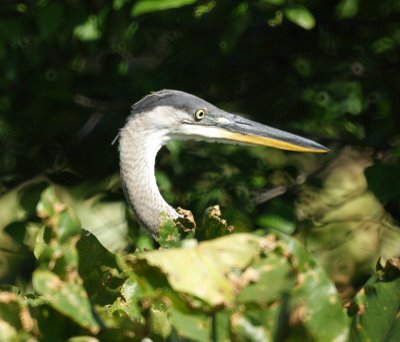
x: 211, y: 260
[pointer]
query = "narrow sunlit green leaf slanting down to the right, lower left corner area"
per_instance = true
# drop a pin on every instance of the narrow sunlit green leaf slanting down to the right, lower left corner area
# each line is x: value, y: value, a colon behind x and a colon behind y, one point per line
x: 69, y: 299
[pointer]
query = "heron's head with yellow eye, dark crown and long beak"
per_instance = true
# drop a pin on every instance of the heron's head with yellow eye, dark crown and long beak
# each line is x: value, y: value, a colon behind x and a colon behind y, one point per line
x: 184, y: 116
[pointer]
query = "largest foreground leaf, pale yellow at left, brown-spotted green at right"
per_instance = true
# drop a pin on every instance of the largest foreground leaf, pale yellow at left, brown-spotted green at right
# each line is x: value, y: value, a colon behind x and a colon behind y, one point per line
x: 243, y: 270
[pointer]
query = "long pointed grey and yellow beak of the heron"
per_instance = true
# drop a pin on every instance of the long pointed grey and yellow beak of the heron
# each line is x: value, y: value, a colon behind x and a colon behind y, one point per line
x: 234, y: 128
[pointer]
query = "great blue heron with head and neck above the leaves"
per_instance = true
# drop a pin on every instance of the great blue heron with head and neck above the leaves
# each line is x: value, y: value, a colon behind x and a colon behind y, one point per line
x: 170, y: 114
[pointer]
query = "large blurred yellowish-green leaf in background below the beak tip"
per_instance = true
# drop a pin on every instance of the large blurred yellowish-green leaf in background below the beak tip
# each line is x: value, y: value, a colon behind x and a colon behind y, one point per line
x: 344, y: 224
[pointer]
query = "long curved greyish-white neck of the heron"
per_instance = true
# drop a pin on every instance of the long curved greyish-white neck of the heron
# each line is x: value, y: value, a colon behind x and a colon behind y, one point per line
x: 138, y: 148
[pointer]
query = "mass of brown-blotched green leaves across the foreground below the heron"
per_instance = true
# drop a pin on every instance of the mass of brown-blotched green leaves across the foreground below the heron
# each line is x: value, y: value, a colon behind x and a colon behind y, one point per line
x: 252, y: 287
